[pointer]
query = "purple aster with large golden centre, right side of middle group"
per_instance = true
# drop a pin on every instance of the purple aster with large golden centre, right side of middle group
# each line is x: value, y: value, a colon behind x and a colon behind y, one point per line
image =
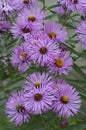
x: 61, y: 63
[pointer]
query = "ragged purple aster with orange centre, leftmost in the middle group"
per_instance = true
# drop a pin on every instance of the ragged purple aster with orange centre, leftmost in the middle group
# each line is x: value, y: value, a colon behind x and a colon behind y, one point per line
x: 20, y: 58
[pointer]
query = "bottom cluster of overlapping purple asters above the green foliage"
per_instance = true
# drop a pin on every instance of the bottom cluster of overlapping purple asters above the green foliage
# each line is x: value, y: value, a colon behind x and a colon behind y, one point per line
x: 40, y: 94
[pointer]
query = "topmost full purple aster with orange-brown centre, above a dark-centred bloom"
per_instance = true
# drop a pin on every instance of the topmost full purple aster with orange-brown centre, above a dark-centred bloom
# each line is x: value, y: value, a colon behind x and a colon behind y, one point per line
x: 34, y: 15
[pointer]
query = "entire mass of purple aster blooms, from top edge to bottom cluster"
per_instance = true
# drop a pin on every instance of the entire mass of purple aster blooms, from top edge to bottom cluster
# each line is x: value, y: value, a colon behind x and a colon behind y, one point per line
x: 41, y: 43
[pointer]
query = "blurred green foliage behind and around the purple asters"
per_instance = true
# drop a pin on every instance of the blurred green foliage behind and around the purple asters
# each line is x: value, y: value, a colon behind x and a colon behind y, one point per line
x: 13, y: 81
